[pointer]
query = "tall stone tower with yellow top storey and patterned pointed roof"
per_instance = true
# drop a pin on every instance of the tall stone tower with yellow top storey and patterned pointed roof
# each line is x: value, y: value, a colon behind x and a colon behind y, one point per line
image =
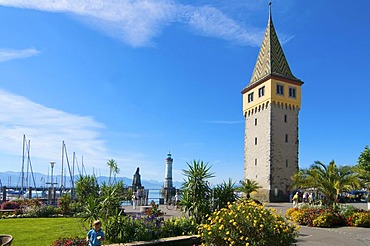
x: 271, y: 104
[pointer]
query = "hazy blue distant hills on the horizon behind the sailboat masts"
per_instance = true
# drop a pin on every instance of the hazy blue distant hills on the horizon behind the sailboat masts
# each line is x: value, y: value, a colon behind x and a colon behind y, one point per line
x: 13, y: 179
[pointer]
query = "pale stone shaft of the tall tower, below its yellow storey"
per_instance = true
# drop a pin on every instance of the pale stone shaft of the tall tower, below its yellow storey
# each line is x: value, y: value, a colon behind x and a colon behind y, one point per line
x: 271, y: 149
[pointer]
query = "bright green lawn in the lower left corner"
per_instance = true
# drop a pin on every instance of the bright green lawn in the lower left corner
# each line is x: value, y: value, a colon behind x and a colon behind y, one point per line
x: 41, y: 231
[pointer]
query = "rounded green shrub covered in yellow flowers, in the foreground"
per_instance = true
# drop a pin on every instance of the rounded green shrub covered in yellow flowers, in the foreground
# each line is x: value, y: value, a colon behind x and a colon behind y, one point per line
x: 246, y: 223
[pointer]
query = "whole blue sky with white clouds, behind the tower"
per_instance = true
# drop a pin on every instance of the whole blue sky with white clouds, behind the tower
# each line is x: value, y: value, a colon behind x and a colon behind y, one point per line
x: 133, y: 80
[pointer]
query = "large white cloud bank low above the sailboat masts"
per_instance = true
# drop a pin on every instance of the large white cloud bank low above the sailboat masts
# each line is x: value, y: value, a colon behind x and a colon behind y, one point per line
x: 46, y: 128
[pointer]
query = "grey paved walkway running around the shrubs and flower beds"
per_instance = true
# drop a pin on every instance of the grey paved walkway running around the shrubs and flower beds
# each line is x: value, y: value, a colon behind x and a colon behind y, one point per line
x: 308, y: 236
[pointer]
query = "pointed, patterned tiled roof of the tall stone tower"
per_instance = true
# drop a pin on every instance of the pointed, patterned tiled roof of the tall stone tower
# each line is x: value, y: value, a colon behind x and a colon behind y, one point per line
x: 271, y: 59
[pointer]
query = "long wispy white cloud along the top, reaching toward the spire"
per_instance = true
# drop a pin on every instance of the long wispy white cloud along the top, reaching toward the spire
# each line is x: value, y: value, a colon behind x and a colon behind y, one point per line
x: 138, y: 22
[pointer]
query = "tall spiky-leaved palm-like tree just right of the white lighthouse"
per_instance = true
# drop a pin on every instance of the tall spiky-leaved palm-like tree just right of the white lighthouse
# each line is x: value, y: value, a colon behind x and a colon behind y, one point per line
x: 196, y: 190
